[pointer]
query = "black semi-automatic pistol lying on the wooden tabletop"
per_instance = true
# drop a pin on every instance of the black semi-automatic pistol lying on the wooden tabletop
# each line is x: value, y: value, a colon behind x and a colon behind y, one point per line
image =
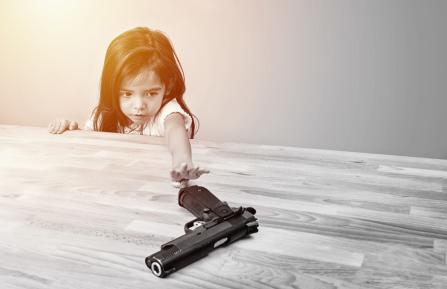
x: 216, y: 225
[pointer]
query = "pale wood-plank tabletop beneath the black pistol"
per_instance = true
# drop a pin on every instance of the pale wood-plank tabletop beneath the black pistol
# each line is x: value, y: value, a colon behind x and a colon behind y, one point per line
x: 83, y: 210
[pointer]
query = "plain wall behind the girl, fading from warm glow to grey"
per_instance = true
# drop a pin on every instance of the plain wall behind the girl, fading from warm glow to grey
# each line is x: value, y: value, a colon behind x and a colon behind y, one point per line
x: 365, y: 76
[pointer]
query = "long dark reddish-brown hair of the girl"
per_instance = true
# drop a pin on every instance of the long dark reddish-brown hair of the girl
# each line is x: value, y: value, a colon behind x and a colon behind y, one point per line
x: 128, y: 54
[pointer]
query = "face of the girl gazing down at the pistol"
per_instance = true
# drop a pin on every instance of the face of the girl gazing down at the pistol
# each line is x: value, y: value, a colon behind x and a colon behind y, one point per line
x: 141, y: 96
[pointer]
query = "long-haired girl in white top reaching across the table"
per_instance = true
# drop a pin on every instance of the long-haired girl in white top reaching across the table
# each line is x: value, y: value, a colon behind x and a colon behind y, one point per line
x: 142, y: 88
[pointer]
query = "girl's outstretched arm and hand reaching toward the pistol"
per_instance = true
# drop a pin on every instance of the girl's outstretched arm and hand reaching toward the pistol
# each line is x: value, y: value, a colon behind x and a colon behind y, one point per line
x: 178, y: 145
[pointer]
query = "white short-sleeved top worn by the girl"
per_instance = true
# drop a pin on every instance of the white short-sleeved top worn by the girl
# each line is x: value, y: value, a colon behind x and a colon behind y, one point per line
x: 154, y: 127
